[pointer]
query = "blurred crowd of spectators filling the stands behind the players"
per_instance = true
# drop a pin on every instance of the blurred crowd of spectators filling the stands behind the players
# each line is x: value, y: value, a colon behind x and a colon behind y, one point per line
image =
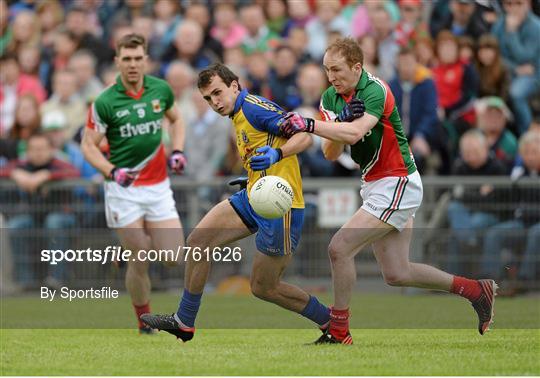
x: 465, y: 75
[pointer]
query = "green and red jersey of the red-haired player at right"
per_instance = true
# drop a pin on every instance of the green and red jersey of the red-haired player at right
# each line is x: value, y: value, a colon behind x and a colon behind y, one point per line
x: 384, y: 150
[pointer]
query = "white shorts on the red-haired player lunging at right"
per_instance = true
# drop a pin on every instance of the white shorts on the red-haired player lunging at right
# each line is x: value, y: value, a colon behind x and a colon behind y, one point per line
x: 393, y: 199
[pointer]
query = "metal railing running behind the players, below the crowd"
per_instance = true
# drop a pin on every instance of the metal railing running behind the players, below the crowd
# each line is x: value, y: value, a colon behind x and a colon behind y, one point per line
x: 326, y: 198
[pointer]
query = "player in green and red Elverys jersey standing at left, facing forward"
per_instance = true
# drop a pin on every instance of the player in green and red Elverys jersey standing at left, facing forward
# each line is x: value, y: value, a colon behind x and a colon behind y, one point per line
x: 139, y: 202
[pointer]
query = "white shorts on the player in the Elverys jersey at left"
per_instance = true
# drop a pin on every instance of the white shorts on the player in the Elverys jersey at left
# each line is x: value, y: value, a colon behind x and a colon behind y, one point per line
x: 125, y: 205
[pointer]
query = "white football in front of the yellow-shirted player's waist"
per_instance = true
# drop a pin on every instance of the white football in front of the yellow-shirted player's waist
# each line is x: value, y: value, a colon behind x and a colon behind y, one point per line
x: 271, y: 197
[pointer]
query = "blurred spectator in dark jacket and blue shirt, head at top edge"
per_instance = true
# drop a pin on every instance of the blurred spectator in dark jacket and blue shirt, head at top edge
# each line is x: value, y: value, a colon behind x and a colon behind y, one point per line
x: 463, y: 19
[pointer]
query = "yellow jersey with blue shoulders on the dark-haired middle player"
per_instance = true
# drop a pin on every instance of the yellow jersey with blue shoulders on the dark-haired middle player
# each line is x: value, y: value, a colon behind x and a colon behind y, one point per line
x: 256, y: 122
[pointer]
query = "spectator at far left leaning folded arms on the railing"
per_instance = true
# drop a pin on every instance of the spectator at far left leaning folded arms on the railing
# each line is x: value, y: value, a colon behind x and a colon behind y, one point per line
x: 30, y: 174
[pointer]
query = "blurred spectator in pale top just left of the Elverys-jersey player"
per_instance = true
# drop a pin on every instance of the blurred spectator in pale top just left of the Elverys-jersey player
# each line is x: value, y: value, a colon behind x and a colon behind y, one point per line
x: 65, y: 99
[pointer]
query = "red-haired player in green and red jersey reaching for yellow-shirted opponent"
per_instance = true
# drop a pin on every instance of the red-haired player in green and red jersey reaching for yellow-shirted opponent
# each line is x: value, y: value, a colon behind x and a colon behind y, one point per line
x: 391, y: 193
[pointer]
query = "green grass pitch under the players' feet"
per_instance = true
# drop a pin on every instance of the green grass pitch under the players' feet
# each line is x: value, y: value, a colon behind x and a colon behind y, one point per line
x: 393, y: 335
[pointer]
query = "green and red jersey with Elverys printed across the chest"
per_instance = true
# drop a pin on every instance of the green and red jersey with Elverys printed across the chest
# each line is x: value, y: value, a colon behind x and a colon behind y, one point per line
x: 132, y: 123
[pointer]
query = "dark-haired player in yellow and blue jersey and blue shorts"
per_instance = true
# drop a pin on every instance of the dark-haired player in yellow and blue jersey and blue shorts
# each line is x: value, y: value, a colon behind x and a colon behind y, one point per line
x: 264, y: 152
